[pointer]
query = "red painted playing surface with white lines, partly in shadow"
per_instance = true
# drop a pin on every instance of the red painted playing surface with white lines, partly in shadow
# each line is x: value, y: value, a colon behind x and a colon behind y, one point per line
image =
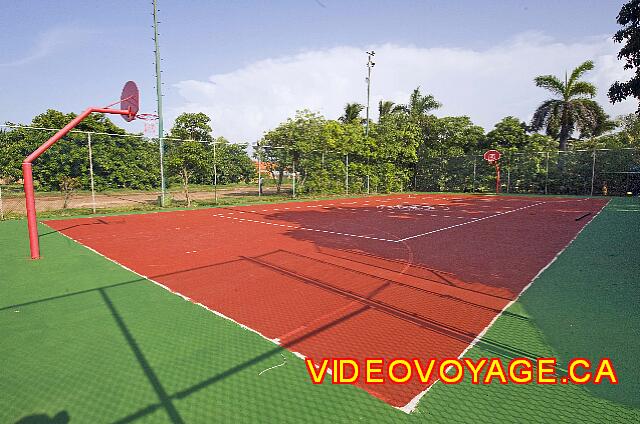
x: 410, y: 276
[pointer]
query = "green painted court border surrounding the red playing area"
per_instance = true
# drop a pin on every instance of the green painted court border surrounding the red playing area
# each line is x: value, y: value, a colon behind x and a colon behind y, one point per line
x: 87, y: 340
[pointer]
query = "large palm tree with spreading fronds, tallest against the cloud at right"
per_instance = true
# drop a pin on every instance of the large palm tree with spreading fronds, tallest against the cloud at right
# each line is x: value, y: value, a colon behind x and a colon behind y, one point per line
x: 572, y: 109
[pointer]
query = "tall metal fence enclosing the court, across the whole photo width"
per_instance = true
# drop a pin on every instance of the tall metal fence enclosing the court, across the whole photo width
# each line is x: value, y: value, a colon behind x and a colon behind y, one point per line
x: 89, y: 172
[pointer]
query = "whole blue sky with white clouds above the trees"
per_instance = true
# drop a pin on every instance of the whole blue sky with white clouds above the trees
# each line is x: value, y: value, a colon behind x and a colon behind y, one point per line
x: 249, y: 65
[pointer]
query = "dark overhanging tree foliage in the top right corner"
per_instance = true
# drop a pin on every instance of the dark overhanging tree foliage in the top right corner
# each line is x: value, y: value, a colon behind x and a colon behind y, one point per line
x: 629, y: 18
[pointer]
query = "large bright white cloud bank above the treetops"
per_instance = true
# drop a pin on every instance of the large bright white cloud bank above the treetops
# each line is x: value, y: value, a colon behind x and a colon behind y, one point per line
x: 485, y: 85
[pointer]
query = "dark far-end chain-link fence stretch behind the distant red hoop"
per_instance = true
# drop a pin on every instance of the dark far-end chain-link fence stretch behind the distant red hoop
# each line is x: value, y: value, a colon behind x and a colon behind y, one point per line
x: 600, y: 172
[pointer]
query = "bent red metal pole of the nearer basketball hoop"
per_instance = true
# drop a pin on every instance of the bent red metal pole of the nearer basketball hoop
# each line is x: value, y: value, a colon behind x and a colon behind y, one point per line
x: 27, y: 173
